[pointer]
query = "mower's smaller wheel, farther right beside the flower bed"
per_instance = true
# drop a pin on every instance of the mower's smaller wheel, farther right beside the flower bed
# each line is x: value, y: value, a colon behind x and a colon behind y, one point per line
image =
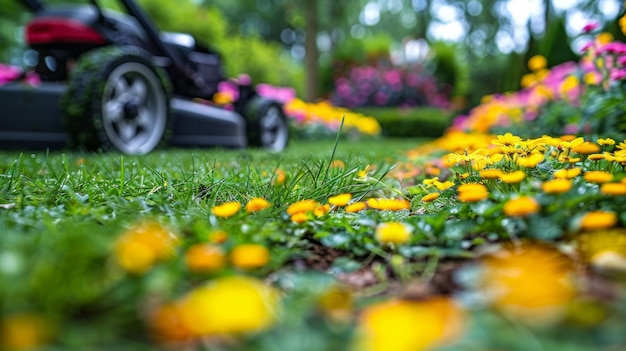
x: 267, y: 124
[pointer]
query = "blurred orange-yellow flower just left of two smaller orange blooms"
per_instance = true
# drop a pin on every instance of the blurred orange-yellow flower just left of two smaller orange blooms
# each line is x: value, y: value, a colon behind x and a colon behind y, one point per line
x: 141, y: 246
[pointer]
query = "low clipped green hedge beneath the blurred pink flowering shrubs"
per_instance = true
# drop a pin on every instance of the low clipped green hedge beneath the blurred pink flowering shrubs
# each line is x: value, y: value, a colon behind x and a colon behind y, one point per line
x: 410, y: 122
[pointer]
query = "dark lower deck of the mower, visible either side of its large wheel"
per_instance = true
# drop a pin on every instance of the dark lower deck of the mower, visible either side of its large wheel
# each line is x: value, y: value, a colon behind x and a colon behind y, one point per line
x: 38, y: 121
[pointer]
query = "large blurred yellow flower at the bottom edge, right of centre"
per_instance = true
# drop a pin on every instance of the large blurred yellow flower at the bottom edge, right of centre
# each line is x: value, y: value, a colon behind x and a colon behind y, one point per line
x: 407, y: 325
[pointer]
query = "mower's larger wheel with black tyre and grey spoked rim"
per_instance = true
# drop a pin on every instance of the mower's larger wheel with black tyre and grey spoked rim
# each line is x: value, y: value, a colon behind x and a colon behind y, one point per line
x: 116, y: 99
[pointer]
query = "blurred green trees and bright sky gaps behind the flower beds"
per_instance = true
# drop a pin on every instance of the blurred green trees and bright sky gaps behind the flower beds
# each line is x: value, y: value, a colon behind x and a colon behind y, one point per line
x: 484, y: 44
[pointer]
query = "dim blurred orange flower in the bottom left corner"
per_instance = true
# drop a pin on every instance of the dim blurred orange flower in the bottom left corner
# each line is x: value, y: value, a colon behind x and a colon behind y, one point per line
x: 23, y: 331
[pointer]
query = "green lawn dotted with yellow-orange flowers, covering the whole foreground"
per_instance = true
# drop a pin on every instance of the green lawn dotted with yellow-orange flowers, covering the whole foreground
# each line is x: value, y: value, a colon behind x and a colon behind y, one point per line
x: 348, y: 245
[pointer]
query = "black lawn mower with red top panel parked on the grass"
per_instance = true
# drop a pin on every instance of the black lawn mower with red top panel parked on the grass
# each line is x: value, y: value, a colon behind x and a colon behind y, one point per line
x: 113, y: 81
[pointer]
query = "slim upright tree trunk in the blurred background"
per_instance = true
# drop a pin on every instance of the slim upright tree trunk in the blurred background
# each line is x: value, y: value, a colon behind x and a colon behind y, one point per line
x: 311, y: 55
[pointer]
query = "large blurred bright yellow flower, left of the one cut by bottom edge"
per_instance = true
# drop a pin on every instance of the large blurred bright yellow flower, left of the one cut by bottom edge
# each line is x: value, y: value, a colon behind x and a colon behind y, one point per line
x: 230, y: 305
